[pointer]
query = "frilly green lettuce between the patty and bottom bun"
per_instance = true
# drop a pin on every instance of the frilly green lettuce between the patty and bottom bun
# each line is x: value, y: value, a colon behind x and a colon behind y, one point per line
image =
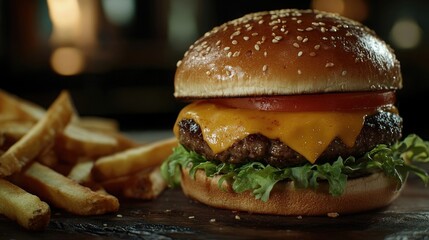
x: 396, y: 161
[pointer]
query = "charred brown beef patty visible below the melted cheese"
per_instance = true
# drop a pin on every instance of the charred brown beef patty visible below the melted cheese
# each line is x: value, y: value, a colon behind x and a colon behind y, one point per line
x: 379, y: 128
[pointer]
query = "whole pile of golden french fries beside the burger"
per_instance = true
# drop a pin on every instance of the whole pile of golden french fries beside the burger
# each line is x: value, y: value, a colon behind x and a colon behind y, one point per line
x: 55, y: 158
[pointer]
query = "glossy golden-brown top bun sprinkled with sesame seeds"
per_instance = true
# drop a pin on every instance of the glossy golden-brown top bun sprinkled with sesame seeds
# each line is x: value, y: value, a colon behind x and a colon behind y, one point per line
x: 286, y: 52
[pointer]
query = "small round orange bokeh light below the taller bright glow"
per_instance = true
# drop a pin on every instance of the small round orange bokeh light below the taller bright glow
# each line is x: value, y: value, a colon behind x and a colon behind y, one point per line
x: 67, y: 61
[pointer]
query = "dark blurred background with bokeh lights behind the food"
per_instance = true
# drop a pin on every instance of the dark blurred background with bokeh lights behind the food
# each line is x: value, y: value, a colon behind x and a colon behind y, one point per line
x: 118, y: 57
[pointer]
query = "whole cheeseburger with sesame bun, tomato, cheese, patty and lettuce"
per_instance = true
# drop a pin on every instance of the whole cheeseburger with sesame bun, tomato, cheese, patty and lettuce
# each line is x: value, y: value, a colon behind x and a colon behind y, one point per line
x: 291, y: 112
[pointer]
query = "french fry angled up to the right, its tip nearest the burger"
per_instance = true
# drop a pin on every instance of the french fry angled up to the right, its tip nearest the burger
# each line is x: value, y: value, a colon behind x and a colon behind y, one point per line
x: 133, y: 160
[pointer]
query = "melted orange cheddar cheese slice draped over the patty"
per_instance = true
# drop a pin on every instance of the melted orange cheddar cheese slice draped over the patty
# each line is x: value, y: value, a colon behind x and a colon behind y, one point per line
x: 308, y: 133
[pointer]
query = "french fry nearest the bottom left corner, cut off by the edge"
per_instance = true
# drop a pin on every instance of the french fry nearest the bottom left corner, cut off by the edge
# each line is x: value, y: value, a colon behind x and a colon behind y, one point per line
x: 25, y: 208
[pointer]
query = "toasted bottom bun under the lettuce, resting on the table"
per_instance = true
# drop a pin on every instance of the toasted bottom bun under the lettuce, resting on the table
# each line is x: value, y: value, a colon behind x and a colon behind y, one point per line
x: 361, y: 194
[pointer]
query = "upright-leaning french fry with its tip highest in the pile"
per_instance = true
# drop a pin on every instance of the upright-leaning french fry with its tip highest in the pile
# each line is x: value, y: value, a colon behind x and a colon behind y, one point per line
x: 40, y: 136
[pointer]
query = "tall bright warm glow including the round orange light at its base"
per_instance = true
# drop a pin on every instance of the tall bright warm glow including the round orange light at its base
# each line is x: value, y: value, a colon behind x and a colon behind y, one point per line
x: 74, y: 35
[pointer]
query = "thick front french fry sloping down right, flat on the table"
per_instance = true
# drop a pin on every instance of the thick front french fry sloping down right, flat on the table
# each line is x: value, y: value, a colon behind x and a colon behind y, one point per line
x: 63, y: 192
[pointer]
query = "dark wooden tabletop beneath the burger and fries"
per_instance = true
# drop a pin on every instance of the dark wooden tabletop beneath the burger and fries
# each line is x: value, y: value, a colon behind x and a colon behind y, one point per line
x: 173, y: 216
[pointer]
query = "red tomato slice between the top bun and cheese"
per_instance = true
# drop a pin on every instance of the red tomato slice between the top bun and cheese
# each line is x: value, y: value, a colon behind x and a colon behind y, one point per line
x: 313, y: 102
